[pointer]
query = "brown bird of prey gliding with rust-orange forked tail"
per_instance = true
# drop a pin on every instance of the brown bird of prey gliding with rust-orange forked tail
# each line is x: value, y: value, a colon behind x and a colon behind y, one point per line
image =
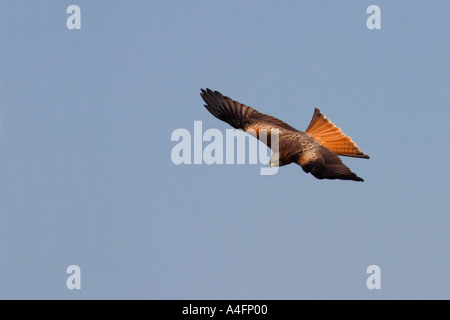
x: 316, y: 150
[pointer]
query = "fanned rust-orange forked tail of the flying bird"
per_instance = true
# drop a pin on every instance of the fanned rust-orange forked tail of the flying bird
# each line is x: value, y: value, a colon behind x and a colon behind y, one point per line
x: 331, y: 137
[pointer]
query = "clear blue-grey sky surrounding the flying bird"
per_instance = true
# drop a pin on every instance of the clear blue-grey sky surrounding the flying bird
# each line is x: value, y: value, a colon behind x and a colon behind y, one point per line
x: 86, y: 176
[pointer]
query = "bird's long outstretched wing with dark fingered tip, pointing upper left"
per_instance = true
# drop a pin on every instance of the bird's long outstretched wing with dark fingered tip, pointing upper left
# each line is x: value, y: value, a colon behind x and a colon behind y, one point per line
x: 240, y: 116
